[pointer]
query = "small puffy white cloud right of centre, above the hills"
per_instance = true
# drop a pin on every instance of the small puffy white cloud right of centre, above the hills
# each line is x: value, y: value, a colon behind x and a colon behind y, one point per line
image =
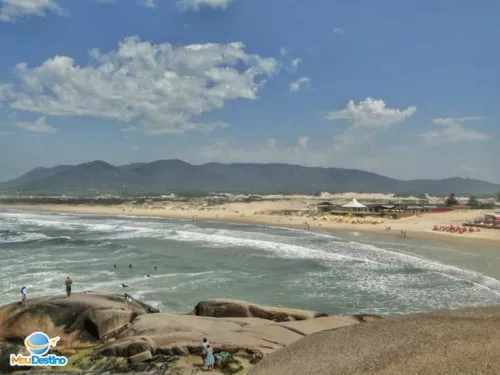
x: 367, y: 119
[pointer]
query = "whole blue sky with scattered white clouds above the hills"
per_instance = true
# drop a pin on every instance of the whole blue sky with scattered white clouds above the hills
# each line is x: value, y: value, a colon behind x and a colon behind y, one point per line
x: 408, y: 89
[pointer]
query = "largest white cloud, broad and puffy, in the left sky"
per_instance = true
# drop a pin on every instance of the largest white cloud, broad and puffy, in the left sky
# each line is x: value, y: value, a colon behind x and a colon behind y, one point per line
x: 161, y: 86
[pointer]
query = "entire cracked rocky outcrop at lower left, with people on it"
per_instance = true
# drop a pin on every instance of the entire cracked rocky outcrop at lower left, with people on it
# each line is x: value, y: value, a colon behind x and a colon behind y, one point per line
x: 99, y: 334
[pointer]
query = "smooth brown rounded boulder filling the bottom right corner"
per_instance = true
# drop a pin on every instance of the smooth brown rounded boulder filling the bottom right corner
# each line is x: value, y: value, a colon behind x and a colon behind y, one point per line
x: 465, y: 341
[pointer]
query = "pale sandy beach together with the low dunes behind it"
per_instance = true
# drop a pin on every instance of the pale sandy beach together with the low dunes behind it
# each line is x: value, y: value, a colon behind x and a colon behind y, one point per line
x: 271, y: 212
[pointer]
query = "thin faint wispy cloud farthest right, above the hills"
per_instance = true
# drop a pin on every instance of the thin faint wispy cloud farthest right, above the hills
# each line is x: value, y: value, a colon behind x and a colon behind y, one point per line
x: 453, y: 131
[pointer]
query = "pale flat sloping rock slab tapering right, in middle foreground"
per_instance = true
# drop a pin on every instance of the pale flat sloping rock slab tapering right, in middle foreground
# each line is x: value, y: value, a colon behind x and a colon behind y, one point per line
x: 182, y: 334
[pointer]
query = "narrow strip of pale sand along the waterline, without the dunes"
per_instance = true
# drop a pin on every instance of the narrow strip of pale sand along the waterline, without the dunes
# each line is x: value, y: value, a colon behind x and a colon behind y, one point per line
x: 412, y: 225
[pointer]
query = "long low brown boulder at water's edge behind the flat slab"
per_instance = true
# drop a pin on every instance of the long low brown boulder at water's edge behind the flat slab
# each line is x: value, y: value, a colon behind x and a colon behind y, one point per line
x: 227, y: 308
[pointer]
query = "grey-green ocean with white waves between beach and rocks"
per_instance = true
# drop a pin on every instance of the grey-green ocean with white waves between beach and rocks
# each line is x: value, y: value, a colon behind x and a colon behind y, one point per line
x: 340, y: 273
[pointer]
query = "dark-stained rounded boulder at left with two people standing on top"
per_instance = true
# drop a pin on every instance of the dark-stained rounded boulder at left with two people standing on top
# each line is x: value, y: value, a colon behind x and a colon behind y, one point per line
x: 85, y: 318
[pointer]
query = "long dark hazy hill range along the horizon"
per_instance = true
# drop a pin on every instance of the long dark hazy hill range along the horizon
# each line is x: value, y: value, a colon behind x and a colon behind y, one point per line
x: 99, y: 177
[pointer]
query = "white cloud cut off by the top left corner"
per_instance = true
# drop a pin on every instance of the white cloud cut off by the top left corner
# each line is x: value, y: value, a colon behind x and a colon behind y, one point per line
x: 12, y: 10
